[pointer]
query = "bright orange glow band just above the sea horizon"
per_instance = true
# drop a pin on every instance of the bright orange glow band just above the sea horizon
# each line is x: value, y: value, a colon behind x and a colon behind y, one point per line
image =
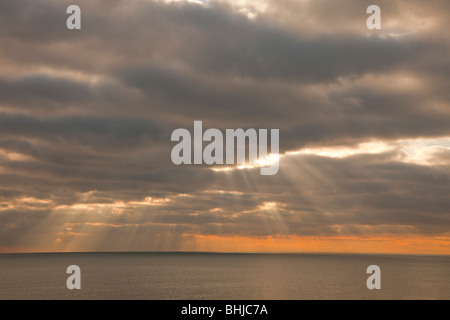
x: 388, y: 244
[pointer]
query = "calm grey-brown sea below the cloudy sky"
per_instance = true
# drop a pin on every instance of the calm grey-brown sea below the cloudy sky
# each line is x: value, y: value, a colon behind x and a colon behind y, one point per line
x: 208, y: 276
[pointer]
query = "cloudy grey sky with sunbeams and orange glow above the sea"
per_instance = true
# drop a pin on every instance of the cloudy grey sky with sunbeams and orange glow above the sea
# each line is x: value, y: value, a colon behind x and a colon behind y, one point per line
x: 86, y: 118
